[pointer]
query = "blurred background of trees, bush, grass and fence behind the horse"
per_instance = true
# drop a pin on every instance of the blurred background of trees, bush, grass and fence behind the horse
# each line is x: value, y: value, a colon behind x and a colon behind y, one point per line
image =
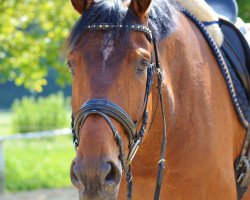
x: 35, y: 97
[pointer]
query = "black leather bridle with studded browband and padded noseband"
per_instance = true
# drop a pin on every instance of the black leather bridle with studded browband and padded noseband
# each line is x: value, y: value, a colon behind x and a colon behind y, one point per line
x: 107, y: 109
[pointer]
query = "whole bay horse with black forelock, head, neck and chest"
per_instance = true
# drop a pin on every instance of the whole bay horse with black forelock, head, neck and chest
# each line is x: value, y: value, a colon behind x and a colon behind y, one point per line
x: 110, y: 60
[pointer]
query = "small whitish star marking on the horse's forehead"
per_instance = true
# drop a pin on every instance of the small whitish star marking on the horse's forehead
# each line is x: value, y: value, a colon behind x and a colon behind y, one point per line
x: 107, y: 47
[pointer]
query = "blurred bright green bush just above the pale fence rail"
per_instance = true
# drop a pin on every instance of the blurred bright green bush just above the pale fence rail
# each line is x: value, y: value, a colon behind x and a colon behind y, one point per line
x: 43, y: 113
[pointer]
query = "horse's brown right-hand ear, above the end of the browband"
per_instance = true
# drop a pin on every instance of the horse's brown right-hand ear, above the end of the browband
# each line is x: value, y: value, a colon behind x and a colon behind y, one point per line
x: 140, y: 7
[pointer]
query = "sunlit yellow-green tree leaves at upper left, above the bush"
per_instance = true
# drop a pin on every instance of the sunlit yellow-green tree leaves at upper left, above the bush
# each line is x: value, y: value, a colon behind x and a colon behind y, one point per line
x: 32, y: 33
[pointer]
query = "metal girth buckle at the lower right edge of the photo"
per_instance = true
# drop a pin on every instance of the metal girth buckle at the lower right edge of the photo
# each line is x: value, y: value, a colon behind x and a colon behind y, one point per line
x: 244, y: 174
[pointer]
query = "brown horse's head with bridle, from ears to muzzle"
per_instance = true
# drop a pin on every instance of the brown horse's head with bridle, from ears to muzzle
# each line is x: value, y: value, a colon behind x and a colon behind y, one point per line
x: 109, y: 56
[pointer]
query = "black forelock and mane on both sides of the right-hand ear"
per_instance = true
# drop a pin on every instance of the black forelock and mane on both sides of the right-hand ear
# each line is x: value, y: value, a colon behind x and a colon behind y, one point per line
x: 161, y: 18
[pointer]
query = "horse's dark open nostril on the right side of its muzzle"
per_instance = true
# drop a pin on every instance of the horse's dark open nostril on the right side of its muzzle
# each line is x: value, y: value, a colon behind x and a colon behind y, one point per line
x: 113, y: 176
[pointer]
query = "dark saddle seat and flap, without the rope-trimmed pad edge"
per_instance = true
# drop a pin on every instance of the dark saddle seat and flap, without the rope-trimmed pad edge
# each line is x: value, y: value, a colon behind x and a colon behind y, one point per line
x: 235, y: 48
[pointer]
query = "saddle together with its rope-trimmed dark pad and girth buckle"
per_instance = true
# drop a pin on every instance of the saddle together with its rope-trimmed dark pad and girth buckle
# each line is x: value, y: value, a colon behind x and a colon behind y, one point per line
x: 235, y: 68
